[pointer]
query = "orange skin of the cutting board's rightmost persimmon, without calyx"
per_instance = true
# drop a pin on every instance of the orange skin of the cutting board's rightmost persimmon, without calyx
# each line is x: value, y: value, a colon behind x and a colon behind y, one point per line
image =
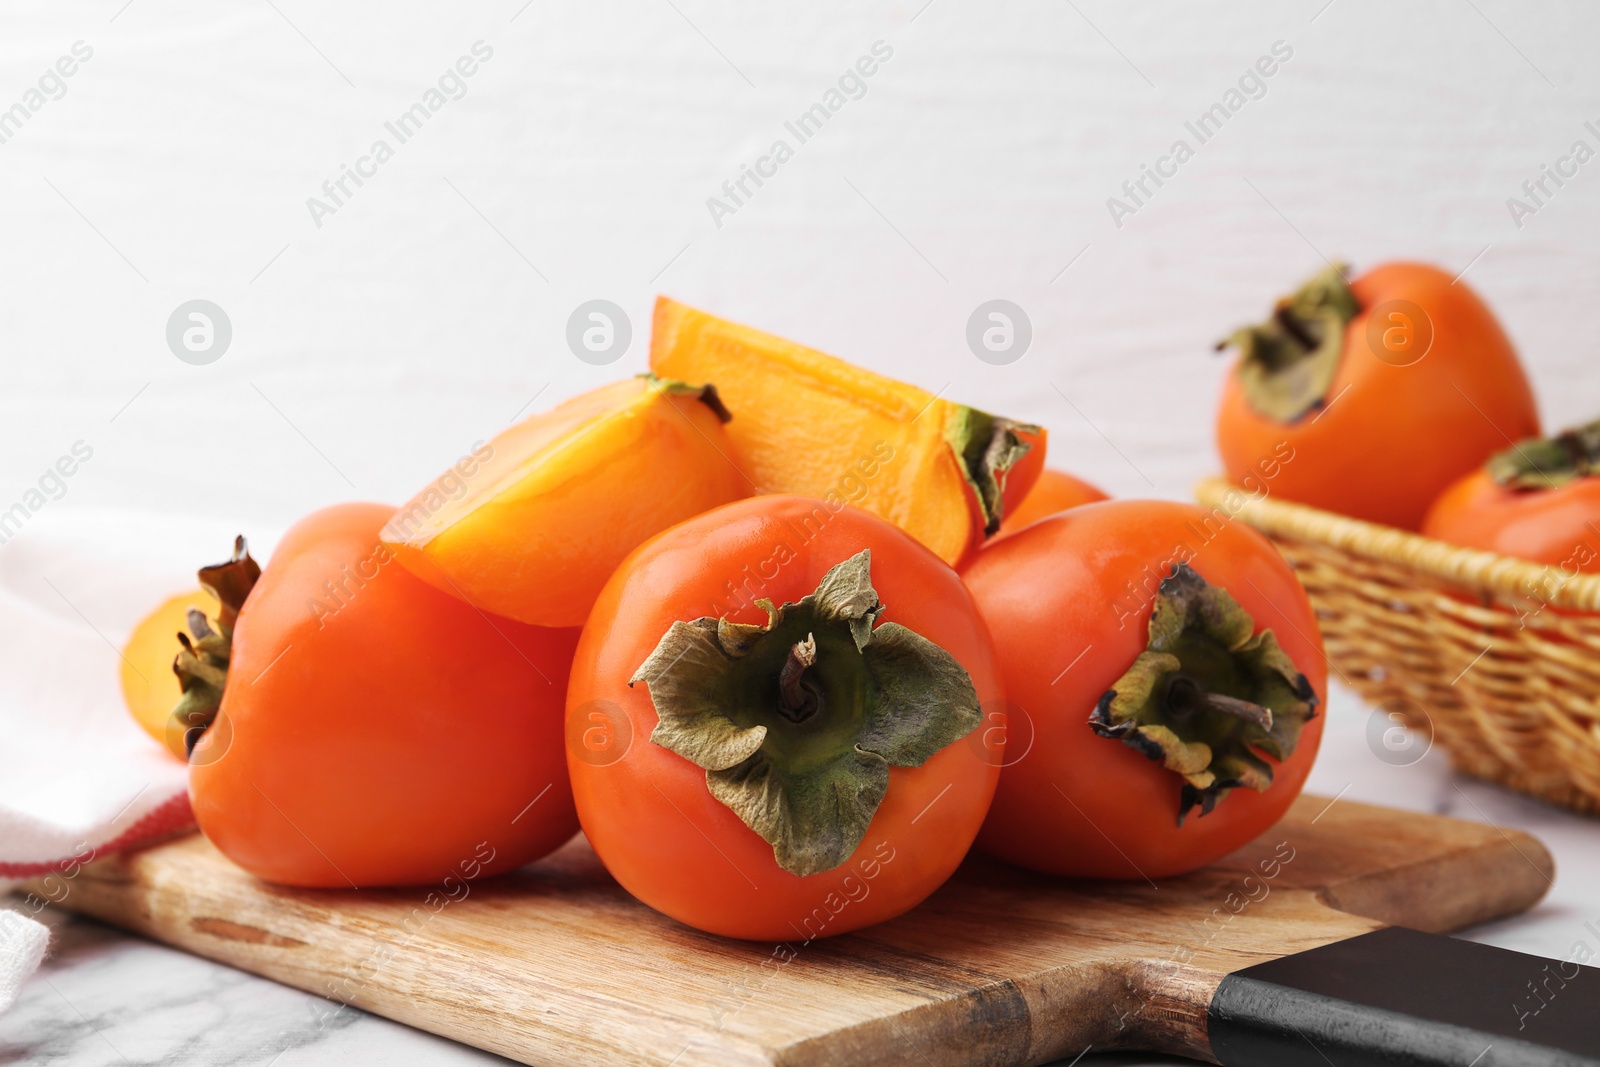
x: 1070, y: 604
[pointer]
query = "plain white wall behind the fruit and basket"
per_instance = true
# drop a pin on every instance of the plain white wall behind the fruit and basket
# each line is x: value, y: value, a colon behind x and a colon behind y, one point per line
x: 375, y: 350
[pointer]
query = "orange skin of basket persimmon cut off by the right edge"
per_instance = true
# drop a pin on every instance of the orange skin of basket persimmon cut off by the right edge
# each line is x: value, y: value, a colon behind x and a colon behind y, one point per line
x: 1559, y: 527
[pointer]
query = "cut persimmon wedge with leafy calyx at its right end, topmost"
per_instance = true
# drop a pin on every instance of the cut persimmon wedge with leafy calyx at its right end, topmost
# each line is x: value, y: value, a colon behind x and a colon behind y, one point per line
x: 818, y: 426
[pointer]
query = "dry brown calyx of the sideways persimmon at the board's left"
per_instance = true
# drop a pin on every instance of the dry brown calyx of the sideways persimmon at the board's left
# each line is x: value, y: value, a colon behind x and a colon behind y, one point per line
x: 204, y: 653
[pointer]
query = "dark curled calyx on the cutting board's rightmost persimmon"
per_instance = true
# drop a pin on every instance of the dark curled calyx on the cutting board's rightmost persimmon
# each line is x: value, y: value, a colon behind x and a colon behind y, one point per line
x: 1209, y: 695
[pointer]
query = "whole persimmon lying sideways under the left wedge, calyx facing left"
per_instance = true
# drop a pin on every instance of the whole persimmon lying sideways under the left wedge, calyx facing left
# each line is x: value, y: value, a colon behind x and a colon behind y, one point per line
x: 356, y: 727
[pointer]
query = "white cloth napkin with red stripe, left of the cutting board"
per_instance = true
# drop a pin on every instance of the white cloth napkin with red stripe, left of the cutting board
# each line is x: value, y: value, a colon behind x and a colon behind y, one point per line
x: 78, y: 777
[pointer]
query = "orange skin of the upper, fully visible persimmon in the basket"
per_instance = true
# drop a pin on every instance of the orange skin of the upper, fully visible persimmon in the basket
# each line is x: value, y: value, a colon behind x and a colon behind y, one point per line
x: 1390, y: 439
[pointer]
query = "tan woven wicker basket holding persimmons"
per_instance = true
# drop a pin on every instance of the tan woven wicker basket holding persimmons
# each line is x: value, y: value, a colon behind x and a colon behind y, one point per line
x: 1498, y: 658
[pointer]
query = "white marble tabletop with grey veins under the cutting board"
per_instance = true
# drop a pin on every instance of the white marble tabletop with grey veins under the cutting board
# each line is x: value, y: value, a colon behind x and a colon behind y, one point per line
x: 106, y: 999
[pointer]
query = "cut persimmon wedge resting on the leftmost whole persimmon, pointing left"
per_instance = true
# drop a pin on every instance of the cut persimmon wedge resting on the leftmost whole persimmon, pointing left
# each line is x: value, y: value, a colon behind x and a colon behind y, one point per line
x: 534, y: 524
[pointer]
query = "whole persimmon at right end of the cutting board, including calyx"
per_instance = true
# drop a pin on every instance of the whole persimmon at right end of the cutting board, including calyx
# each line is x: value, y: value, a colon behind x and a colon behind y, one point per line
x: 1164, y: 673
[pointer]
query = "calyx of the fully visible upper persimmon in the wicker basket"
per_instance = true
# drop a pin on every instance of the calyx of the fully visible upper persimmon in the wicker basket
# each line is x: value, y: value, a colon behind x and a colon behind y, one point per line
x: 1287, y: 364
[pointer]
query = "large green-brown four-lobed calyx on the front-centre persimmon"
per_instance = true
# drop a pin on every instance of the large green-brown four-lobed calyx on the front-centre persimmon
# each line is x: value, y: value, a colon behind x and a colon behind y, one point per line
x: 799, y: 721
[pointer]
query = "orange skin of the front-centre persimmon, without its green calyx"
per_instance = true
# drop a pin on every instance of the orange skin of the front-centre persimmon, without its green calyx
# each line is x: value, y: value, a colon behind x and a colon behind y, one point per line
x: 649, y: 812
